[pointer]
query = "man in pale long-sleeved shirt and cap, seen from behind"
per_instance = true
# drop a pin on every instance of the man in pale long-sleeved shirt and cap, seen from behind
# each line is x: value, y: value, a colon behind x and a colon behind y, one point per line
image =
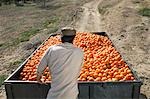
x: 64, y: 62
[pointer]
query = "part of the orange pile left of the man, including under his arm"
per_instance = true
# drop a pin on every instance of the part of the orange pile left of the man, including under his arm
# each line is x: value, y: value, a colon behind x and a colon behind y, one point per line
x: 30, y: 69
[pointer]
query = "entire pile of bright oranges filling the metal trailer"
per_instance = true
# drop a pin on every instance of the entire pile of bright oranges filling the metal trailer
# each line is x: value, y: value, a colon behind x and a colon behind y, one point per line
x: 102, y: 62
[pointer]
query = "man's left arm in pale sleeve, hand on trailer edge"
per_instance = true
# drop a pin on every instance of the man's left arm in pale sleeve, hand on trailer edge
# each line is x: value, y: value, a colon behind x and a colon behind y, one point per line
x: 42, y: 65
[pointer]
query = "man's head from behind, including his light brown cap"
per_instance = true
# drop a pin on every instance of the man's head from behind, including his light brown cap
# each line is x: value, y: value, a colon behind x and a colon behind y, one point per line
x: 68, y: 34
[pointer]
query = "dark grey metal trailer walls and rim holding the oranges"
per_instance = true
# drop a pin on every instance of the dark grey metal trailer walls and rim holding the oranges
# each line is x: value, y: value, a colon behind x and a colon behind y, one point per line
x: 17, y: 89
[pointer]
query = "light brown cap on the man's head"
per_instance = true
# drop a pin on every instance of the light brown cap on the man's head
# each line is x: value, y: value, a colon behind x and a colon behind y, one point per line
x: 68, y: 31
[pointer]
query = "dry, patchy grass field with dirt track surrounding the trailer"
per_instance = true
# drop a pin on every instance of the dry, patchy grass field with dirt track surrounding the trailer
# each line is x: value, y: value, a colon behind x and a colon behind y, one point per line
x: 23, y: 29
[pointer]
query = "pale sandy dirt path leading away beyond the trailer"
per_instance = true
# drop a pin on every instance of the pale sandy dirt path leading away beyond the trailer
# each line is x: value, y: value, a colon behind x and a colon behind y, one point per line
x: 90, y: 18
